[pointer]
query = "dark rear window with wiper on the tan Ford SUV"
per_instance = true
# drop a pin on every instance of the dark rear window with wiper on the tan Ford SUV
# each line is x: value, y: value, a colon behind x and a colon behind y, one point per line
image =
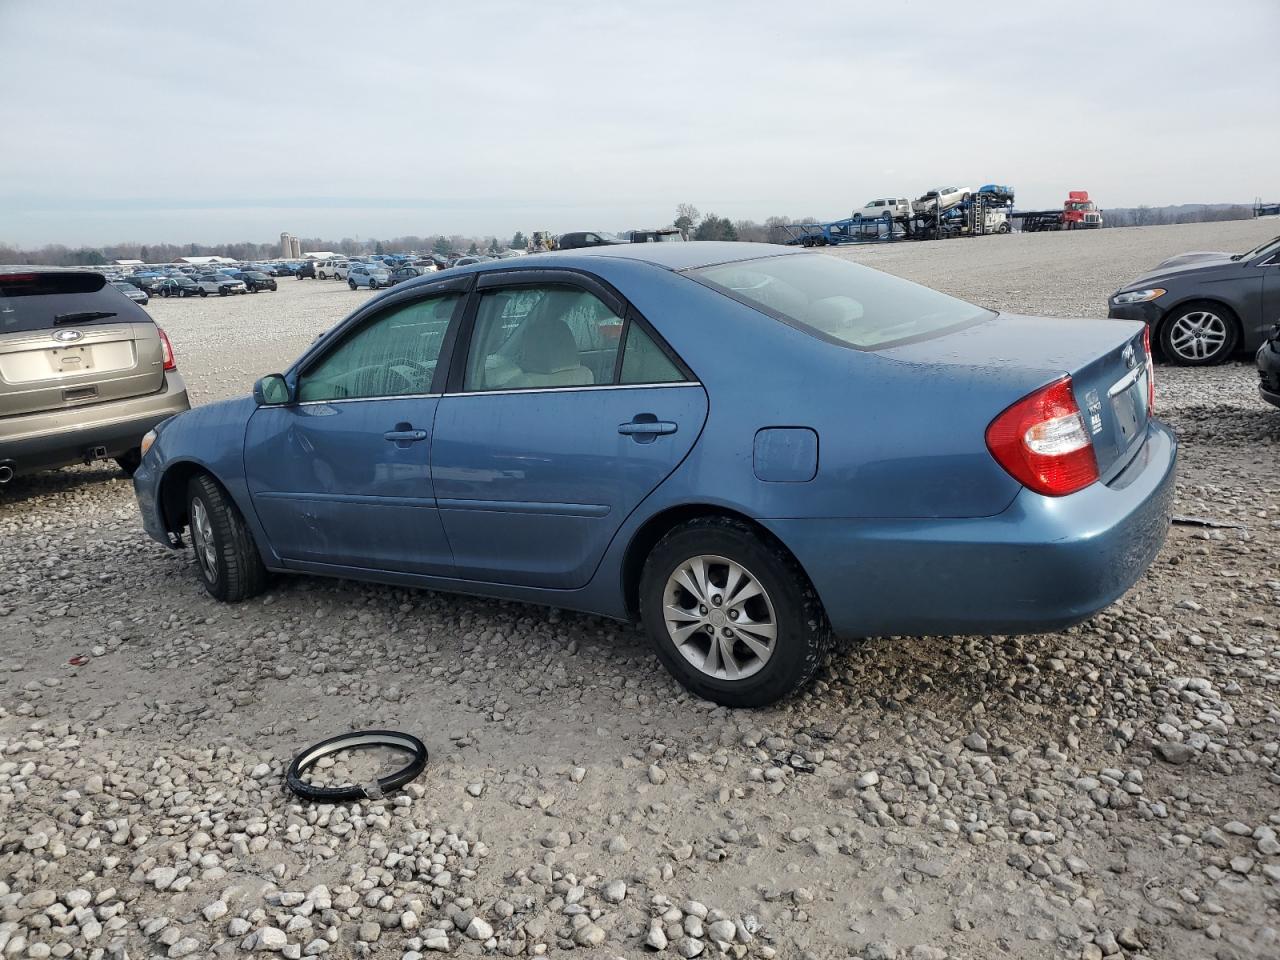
x: 44, y: 300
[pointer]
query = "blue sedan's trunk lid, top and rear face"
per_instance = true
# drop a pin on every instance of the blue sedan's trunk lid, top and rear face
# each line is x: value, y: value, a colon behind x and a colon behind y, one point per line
x: 1105, y: 359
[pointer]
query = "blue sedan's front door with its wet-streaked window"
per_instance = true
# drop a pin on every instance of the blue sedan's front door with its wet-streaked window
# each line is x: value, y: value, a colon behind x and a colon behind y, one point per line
x: 341, y: 477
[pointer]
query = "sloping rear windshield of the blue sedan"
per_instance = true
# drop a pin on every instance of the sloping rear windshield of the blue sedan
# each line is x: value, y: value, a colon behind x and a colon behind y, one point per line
x: 840, y: 301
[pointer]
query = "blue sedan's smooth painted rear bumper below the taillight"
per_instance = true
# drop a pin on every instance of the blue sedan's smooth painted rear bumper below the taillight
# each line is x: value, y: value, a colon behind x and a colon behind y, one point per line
x: 1041, y: 565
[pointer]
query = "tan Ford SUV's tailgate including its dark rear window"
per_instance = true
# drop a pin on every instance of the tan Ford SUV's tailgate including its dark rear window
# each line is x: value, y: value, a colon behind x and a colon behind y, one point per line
x: 70, y: 340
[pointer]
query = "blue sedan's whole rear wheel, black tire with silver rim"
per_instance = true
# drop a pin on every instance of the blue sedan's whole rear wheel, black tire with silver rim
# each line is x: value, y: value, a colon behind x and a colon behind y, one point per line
x: 732, y: 614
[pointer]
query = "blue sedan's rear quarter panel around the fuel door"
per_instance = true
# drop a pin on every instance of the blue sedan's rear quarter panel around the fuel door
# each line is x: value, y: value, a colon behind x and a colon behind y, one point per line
x: 897, y: 440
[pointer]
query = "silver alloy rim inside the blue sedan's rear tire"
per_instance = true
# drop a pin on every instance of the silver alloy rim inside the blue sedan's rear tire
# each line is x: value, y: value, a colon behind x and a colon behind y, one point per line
x: 720, y: 618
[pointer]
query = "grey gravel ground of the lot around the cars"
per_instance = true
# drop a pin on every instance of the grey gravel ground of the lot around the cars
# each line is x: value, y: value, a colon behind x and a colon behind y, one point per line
x: 1109, y: 792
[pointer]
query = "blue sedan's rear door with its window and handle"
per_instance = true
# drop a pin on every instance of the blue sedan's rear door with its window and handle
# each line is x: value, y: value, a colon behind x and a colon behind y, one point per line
x: 563, y: 414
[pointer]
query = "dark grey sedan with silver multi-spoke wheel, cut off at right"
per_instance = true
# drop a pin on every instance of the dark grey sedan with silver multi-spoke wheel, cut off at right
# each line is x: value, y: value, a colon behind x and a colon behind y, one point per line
x: 1204, y: 308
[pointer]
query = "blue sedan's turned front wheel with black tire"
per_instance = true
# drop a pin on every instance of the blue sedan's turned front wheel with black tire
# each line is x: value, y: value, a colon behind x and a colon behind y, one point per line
x: 227, y: 561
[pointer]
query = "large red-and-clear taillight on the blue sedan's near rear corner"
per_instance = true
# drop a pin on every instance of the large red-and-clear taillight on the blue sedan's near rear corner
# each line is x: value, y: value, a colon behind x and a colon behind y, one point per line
x: 1044, y: 444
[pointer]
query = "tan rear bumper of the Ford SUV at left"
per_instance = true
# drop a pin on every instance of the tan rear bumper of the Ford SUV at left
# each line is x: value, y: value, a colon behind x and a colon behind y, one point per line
x: 63, y: 437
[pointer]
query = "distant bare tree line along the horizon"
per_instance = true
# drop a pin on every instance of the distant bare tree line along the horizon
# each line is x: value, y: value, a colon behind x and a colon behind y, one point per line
x: 689, y: 220
